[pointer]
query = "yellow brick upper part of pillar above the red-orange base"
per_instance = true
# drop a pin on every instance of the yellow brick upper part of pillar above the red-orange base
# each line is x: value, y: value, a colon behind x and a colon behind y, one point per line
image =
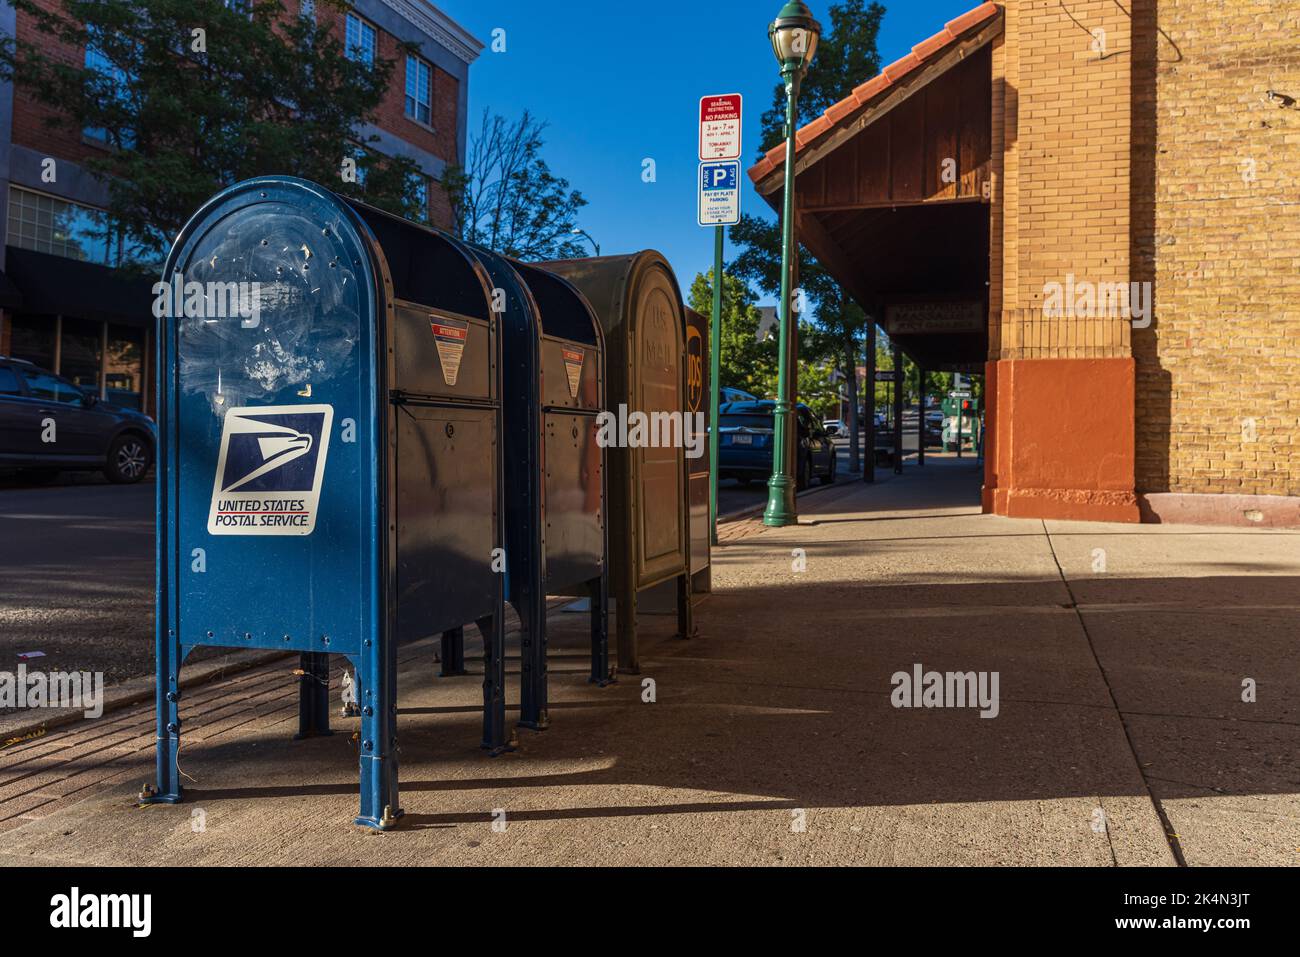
x: 1061, y: 184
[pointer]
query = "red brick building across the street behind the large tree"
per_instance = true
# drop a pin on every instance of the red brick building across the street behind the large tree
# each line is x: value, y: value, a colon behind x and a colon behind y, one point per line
x: 66, y: 308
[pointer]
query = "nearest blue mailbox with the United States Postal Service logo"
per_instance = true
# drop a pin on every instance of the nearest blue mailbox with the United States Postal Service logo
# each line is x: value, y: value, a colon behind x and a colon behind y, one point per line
x: 331, y: 466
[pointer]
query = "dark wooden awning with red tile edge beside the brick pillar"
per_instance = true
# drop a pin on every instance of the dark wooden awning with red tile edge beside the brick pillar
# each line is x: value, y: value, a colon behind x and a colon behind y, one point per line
x: 894, y: 189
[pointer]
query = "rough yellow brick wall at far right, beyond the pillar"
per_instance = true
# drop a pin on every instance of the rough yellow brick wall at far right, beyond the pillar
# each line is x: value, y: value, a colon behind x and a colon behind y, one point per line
x: 1217, y: 223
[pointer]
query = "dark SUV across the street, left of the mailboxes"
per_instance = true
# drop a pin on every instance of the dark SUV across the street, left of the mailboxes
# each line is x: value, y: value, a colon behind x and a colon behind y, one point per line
x: 47, y: 425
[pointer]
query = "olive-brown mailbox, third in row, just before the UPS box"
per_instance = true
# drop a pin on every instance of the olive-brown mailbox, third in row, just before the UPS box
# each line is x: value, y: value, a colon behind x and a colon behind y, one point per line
x: 640, y: 310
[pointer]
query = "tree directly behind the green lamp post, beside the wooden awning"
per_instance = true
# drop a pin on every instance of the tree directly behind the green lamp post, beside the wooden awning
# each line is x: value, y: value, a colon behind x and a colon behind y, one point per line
x: 847, y: 57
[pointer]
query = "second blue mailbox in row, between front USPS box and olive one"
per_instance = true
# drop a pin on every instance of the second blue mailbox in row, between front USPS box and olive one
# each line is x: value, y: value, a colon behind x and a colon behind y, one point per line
x: 553, y: 388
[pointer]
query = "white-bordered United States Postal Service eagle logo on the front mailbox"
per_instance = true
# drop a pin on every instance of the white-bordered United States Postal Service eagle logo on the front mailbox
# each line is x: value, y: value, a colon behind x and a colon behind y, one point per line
x: 270, y: 470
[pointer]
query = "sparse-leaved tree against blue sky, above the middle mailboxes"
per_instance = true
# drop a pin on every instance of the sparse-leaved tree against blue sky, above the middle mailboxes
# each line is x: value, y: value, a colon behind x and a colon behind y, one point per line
x: 506, y: 197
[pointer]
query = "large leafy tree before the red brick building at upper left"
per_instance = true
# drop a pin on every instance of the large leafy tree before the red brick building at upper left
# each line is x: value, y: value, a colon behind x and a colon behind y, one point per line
x: 193, y: 96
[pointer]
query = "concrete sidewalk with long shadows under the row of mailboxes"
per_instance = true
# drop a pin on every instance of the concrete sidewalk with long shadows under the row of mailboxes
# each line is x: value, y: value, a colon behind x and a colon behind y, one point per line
x: 1121, y: 653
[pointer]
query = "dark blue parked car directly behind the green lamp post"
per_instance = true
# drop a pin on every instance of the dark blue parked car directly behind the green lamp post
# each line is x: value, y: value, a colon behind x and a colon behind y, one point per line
x: 746, y: 444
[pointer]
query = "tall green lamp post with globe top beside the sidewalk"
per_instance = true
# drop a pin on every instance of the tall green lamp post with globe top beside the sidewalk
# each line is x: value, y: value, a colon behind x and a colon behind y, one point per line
x: 795, y: 36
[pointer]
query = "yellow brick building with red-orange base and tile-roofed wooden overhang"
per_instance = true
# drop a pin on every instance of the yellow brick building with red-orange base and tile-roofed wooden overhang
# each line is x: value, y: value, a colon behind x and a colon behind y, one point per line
x: 1113, y: 194
